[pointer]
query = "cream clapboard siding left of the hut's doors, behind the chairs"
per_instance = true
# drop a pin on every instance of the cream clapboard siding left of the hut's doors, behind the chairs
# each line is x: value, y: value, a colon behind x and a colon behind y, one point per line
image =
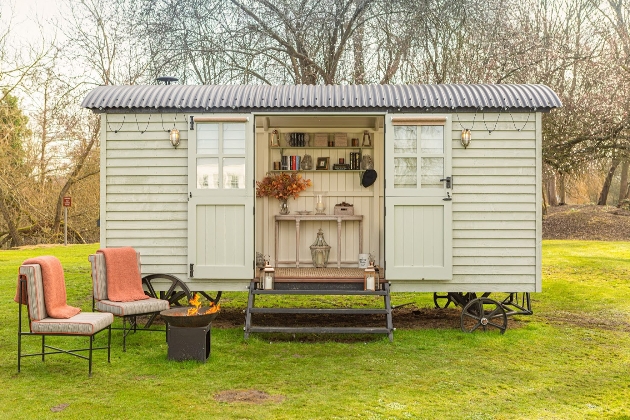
x: 144, y: 204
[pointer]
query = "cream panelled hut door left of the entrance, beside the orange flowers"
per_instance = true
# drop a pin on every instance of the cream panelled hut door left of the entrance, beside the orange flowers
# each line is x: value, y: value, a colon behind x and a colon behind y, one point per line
x: 221, y: 198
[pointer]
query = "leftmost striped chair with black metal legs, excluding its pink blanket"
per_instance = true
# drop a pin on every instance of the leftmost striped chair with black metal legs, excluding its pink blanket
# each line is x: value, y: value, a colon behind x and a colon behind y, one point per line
x: 85, y: 324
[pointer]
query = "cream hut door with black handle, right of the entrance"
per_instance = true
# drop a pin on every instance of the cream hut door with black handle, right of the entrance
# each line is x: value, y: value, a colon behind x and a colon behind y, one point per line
x: 418, y: 206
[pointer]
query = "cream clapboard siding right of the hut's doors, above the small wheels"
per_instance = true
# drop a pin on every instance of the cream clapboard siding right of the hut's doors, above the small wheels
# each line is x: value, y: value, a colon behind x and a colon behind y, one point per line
x: 495, y: 187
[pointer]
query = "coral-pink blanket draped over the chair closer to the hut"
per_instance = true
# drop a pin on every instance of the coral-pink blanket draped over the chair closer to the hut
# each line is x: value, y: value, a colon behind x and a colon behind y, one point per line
x: 124, y: 283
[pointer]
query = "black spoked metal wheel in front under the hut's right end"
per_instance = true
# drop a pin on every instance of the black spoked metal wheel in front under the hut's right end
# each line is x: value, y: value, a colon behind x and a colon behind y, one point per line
x: 483, y: 314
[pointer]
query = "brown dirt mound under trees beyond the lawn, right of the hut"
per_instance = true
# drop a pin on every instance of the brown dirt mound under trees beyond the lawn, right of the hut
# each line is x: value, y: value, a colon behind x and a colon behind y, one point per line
x: 587, y: 222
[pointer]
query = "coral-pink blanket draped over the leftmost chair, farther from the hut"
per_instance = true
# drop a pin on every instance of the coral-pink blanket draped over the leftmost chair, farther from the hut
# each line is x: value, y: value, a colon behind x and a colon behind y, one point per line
x: 54, y: 287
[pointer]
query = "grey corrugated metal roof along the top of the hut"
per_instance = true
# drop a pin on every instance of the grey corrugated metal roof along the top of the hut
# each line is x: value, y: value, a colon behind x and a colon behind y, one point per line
x: 318, y: 97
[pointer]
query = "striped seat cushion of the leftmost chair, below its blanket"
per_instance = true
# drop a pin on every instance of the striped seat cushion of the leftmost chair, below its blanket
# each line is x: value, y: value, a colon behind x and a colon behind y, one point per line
x: 85, y: 323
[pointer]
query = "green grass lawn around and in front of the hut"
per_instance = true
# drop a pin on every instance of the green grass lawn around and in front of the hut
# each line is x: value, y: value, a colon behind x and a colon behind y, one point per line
x: 570, y: 360
